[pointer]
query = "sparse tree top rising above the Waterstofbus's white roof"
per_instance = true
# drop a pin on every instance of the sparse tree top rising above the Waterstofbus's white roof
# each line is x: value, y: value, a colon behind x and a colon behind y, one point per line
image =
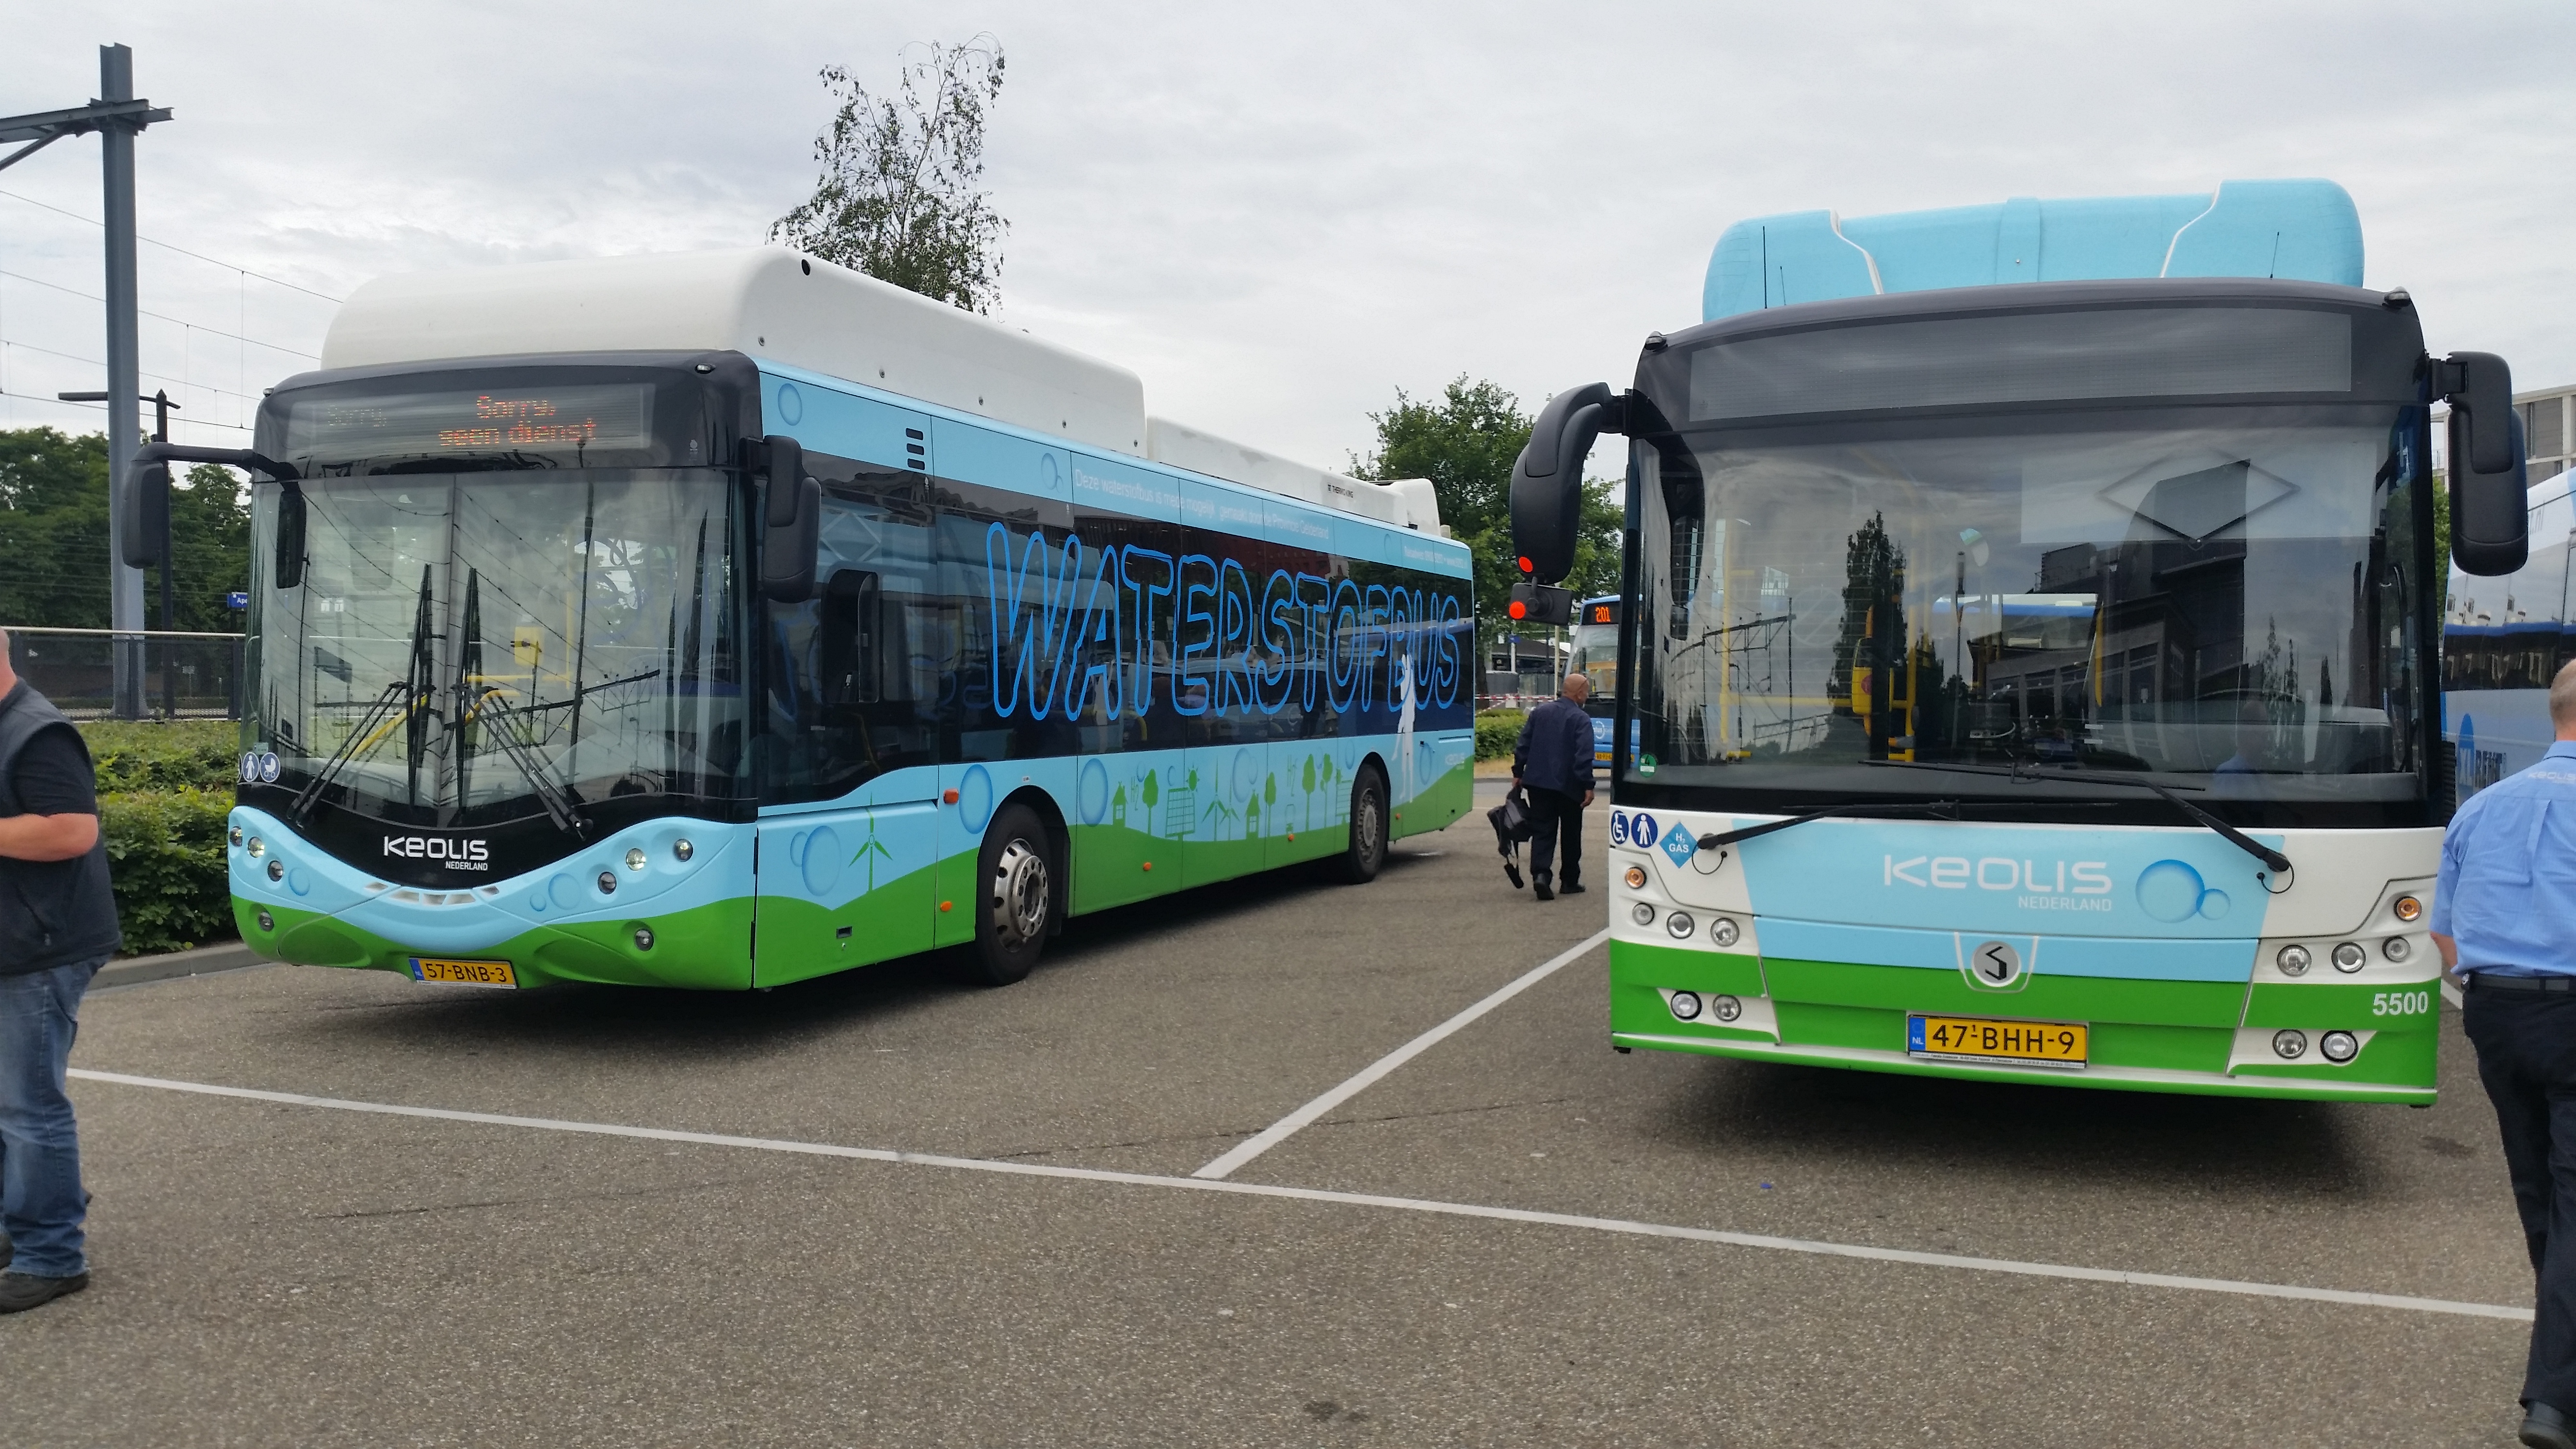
x: 903, y: 179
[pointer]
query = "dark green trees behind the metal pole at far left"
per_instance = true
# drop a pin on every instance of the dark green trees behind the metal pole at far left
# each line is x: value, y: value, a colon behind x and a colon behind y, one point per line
x: 55, y: 538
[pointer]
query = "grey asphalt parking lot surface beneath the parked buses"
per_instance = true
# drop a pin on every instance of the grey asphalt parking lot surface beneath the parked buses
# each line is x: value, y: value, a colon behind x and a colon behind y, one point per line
x: 895, y: 1211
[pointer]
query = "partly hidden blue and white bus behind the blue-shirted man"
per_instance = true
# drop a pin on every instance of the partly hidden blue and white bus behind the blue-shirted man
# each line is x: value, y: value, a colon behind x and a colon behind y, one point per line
x: 2505, y: 638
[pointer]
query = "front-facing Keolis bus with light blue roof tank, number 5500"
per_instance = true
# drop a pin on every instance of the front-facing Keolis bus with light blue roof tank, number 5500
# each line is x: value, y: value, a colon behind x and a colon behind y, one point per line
x: 2031, y: 641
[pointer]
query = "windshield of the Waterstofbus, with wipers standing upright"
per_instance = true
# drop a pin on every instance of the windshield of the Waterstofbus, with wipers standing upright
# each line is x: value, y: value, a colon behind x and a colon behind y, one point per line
x: 493, y: 646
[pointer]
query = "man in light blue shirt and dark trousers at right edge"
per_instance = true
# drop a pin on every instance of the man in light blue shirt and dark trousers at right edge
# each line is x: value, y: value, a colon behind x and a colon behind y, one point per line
x: 2505, y: 919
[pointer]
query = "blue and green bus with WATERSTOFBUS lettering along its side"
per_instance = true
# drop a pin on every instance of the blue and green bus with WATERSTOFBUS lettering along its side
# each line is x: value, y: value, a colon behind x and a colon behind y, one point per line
x: 730, y: 620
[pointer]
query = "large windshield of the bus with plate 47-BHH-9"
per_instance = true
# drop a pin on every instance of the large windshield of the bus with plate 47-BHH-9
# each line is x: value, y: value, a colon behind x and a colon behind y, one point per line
x: 2219, y: 599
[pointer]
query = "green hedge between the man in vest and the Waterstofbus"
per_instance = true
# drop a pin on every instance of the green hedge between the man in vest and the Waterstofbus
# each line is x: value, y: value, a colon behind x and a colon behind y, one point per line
x: 164, y: 793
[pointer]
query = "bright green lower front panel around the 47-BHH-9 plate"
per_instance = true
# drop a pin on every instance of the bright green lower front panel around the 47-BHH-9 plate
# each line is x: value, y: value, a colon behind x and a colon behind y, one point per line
x: 2145, y: 1035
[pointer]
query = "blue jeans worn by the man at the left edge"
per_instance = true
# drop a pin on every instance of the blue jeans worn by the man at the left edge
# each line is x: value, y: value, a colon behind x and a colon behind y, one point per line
x: 40, y: 1149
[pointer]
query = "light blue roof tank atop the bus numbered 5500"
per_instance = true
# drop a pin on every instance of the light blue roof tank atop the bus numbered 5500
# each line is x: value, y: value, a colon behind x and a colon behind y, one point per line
x: 2304, y: 231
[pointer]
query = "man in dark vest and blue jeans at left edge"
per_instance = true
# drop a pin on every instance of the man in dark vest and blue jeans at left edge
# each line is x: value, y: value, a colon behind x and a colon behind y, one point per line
x: 58, y: 927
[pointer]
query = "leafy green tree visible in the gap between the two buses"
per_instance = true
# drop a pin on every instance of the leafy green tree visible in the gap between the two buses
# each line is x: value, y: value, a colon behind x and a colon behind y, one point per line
x: 1467, y: 445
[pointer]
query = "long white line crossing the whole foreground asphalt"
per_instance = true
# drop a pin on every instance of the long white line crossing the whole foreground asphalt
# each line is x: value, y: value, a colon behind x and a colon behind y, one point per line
x: 1359, y: 1200
